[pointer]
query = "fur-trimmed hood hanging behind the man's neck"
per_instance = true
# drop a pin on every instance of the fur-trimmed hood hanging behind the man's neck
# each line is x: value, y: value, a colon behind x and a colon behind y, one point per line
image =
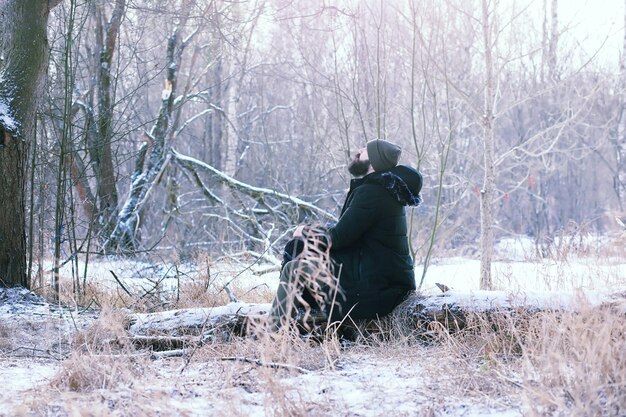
x: 403, y: 182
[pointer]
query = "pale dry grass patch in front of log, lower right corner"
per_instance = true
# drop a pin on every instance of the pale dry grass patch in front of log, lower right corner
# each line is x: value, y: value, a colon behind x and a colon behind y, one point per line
x: 553, y: 363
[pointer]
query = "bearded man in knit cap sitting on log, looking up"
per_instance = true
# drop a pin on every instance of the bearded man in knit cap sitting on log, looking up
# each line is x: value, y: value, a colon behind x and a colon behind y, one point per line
x: 368, y: 245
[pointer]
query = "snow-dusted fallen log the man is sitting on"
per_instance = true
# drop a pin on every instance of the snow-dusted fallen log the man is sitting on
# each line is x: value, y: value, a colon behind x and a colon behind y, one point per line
x: 418, y: 313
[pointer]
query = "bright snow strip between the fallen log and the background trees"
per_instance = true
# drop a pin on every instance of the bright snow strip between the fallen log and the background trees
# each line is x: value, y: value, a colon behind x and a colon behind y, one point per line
x: 515, y: 269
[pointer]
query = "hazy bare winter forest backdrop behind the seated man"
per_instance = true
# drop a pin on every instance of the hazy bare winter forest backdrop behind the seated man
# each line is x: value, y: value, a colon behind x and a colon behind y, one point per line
x: 235, y: 120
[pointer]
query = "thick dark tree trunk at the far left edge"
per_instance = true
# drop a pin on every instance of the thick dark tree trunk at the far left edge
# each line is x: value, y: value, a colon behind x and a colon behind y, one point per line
x: 23, y: 49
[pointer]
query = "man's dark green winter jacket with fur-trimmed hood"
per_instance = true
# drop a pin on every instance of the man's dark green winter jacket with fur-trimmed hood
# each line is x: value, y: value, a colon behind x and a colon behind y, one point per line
x: 370, y: 246
